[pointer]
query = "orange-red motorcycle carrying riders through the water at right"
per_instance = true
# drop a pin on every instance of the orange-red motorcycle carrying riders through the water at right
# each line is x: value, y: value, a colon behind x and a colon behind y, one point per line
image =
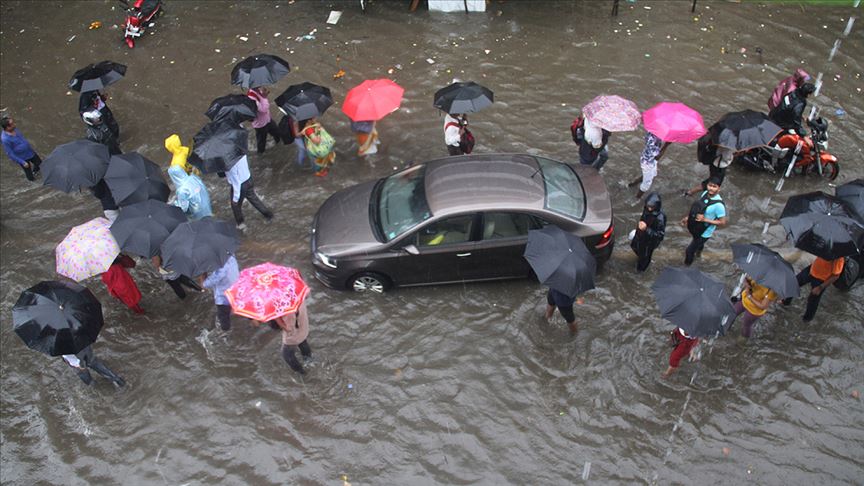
x: 791, y: 152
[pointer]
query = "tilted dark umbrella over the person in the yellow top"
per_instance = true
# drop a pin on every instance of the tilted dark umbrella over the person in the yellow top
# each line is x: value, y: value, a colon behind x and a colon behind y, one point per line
x: 766, y: 267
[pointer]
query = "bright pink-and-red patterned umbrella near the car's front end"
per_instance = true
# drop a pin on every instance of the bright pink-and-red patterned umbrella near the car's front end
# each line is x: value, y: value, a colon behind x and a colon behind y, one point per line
x: 267, y: 291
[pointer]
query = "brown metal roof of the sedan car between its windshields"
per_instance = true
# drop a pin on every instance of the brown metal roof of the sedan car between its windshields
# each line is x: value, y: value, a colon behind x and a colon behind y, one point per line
x: 484, y: 182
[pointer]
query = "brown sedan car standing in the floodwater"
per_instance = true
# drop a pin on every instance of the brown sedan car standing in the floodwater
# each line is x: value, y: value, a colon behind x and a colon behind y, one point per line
x: 457, y: 219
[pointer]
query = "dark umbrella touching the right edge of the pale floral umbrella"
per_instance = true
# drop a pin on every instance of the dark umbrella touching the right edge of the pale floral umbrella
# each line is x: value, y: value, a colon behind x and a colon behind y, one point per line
x: 141, y: 228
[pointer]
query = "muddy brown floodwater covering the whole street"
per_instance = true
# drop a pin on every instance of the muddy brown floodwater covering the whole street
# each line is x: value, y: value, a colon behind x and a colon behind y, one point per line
x: 459, y: 384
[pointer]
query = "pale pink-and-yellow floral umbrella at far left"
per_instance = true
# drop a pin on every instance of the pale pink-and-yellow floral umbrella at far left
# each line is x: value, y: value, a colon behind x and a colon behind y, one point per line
x: 88, y: 250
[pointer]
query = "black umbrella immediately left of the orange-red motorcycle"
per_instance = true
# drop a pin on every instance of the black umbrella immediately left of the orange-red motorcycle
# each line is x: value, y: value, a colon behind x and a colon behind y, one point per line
x: 743, y: 130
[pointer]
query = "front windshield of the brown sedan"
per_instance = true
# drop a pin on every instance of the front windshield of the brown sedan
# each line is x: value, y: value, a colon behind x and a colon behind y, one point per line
x: 402, y: 204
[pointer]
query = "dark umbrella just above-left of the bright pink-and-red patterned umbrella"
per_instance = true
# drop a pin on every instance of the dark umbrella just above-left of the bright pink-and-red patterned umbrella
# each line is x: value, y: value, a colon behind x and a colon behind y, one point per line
x: 199, y: 246
